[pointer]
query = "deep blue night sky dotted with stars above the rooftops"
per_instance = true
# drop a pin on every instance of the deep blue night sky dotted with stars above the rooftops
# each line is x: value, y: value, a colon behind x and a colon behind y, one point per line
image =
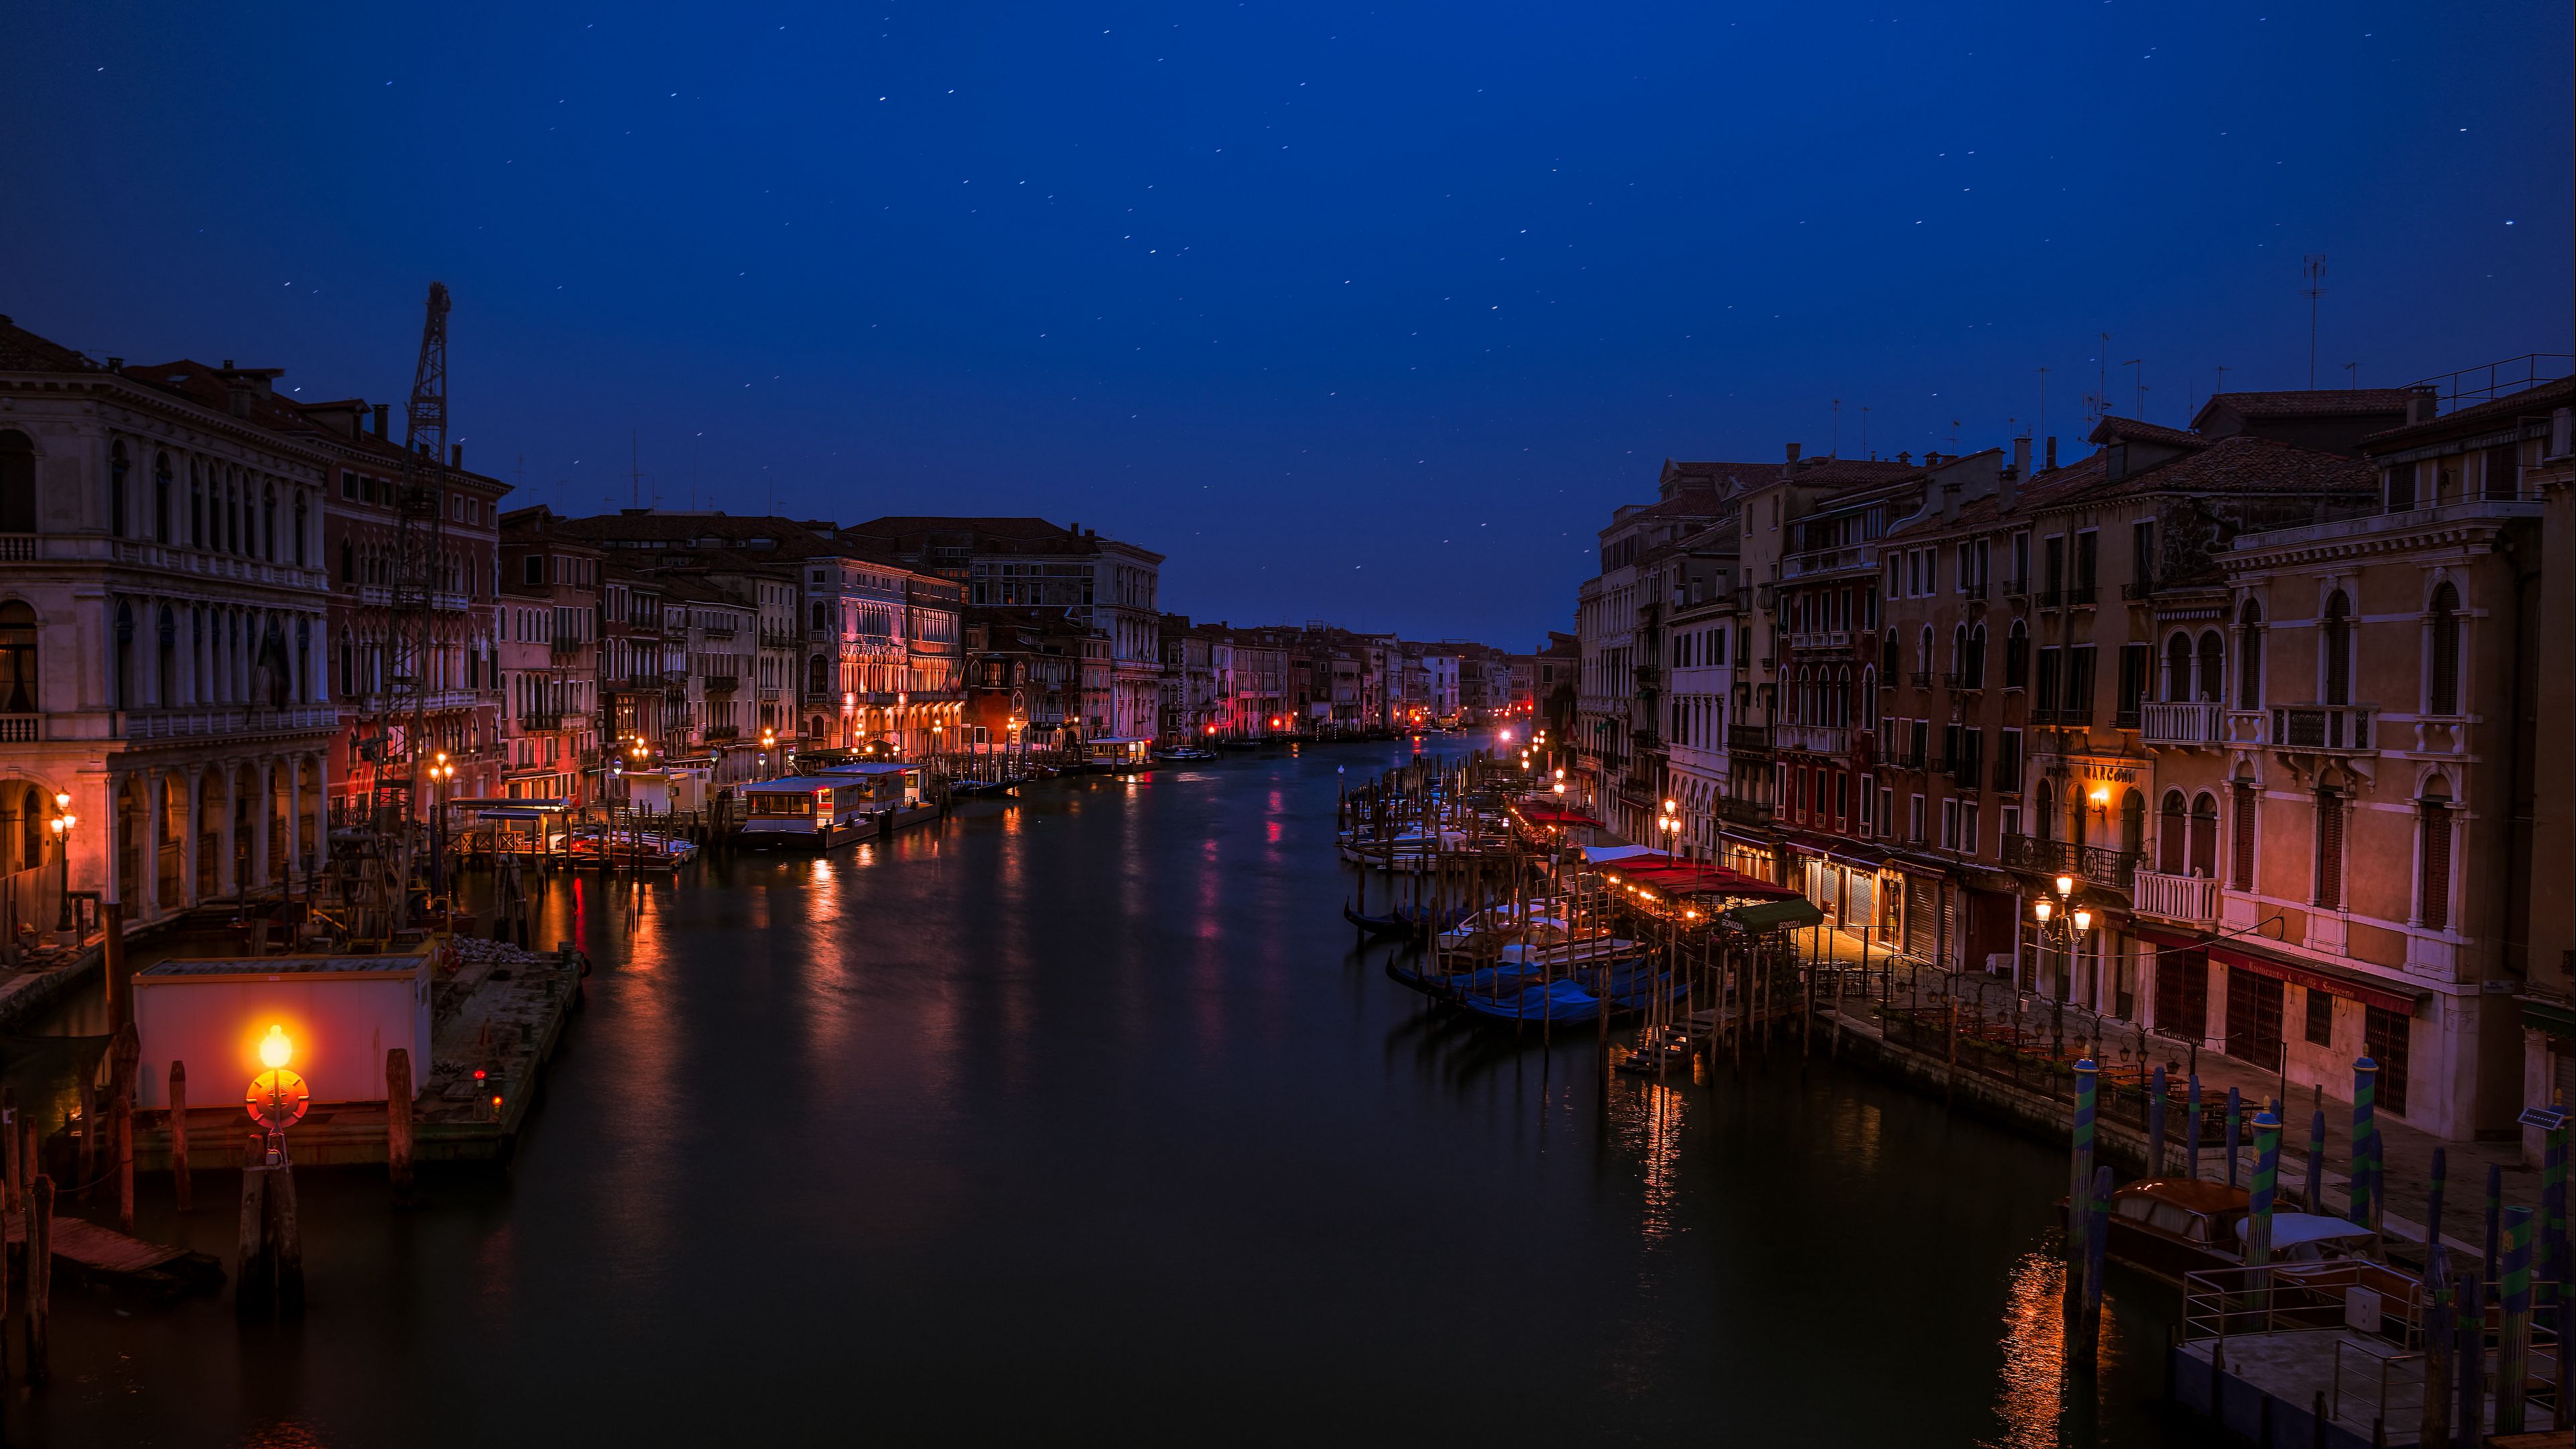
x: 1361, y: 316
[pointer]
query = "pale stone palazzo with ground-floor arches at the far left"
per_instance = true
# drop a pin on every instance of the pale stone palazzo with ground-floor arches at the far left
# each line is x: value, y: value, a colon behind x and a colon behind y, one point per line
x: 164, y: 633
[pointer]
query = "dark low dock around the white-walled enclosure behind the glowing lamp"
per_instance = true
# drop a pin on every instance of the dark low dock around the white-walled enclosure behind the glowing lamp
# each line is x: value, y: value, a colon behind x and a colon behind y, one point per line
x: 501, y: 1015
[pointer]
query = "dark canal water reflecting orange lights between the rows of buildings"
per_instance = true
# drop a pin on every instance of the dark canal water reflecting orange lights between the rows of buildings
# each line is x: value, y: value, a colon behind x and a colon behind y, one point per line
x: 1083, y: 1118
